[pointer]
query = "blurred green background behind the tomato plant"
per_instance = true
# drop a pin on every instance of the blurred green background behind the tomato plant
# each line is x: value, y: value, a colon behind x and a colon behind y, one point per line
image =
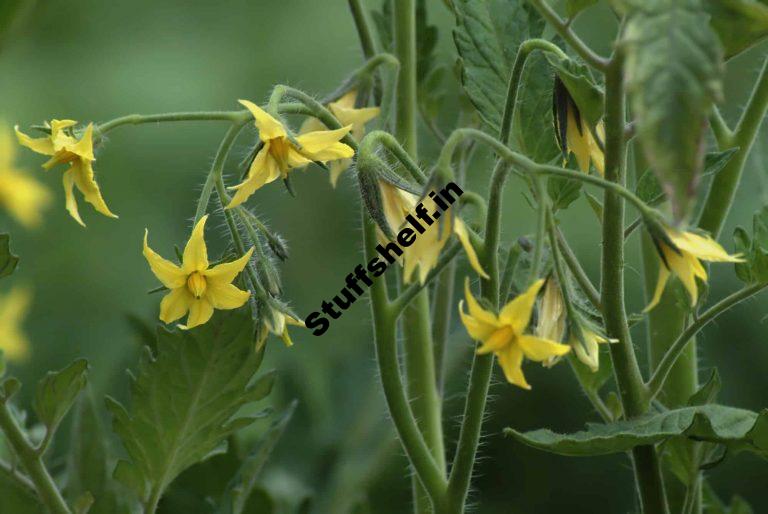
x: 95, y: 60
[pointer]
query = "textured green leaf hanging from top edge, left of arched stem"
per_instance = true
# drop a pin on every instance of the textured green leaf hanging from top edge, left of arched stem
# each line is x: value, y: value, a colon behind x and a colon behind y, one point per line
x: 487, y: 36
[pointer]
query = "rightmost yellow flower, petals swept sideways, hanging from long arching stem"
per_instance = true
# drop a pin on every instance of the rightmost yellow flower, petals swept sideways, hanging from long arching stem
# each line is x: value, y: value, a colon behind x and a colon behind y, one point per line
x: 685, y: 261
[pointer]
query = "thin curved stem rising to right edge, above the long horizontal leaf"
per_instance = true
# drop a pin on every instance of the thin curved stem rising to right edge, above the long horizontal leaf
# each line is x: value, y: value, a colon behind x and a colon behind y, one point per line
x: 676, y: 349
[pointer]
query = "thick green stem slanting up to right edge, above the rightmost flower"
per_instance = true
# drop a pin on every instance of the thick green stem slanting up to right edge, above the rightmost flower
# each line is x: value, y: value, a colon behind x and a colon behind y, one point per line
x: 723, y: 189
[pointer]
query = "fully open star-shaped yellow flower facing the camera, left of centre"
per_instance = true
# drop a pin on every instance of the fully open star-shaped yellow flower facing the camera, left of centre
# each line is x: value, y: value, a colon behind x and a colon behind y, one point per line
x: 194, y: 287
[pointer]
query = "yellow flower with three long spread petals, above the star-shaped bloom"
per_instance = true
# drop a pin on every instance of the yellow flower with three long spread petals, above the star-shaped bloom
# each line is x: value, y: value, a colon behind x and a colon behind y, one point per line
x: 281, y: 154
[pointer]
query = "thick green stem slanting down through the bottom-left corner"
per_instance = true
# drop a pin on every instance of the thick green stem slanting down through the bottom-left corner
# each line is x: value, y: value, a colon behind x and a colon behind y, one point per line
x: 38, y: 474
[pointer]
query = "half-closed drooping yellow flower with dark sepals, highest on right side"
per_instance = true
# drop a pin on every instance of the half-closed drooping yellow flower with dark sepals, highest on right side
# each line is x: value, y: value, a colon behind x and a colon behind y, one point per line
x: 573, y: 132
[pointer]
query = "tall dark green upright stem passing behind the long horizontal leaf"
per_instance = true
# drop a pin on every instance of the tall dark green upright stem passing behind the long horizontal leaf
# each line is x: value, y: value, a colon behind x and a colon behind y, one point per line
x: 629, y: 379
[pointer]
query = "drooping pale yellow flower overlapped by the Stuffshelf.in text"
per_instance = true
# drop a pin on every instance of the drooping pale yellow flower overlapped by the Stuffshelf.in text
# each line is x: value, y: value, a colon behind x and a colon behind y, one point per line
x: 423, y: 254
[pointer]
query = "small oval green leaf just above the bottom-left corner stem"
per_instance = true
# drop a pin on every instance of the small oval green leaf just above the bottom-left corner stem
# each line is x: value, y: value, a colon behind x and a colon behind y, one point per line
x: 57, y: 392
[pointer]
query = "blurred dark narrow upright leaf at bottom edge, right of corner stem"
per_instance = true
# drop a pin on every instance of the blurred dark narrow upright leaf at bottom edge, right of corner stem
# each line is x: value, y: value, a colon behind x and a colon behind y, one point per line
x: 87, y: 460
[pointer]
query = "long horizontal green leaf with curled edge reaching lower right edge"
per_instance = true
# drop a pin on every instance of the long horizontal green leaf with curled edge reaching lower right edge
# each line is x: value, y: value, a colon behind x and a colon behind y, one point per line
x: 738, y: 429
